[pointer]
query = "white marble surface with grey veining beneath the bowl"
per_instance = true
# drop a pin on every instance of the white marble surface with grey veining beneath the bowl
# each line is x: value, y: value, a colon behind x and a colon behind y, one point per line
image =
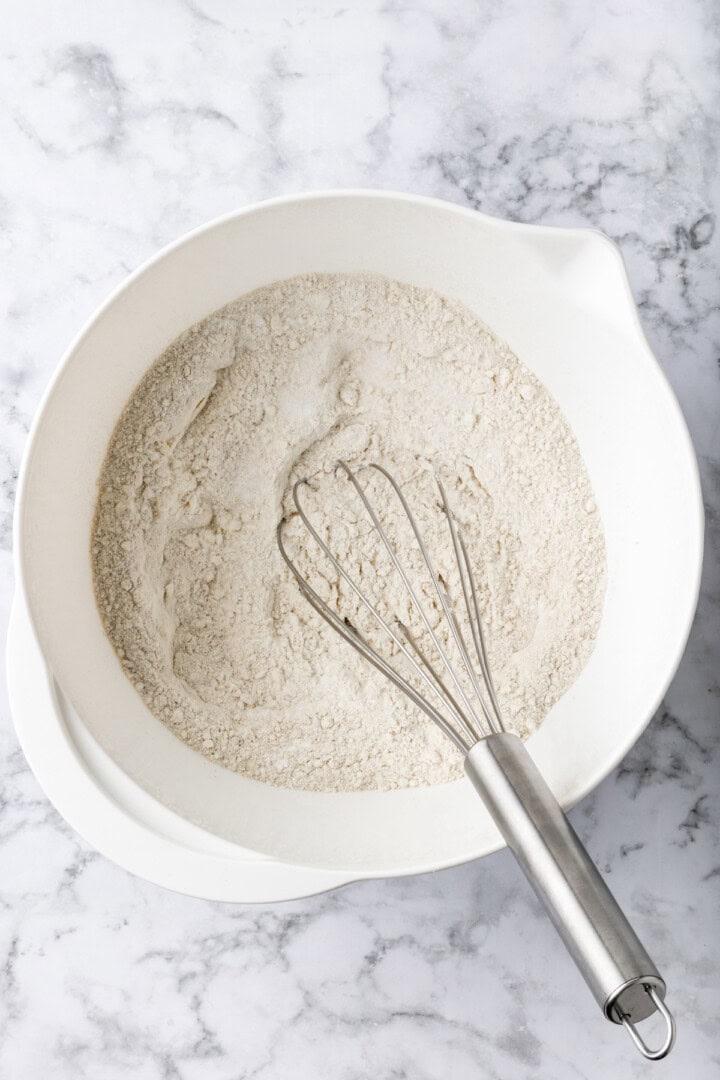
x: 124, y: 126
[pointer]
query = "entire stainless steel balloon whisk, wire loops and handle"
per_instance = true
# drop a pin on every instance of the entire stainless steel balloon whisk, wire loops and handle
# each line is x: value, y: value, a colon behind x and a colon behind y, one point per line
x: 464, y: 704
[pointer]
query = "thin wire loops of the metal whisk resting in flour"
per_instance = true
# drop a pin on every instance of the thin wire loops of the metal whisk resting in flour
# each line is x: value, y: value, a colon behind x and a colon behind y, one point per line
x: 460, y: 699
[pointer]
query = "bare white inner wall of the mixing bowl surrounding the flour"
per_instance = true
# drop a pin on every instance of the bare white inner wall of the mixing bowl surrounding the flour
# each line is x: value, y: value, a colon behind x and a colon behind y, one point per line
x: 562, y: 301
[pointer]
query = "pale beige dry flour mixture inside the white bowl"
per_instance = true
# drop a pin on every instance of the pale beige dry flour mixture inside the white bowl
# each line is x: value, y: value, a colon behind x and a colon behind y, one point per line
x: 205, y: 616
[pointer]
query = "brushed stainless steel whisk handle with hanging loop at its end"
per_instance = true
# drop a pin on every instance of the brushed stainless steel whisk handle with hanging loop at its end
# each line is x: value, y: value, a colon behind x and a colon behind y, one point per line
x: 608, y: 953
